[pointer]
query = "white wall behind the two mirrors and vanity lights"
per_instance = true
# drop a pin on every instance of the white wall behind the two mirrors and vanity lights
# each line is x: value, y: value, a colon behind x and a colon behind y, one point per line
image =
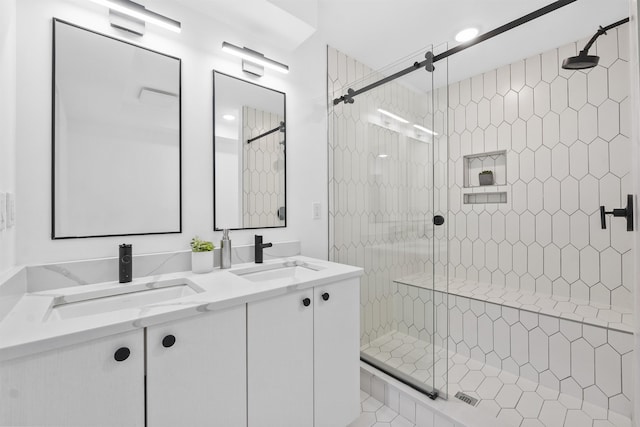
x: 199, y: 48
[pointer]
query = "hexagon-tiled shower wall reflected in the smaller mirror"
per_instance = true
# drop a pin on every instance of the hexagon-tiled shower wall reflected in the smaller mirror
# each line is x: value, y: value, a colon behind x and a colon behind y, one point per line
x: 263, y: 169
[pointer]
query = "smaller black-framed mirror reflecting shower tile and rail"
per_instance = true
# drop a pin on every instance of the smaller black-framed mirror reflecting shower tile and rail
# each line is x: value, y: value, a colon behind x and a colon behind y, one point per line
x: 249, y: 155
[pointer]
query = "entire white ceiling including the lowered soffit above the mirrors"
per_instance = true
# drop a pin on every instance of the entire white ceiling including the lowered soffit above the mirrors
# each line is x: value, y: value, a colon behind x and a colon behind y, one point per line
x: 391, y: 34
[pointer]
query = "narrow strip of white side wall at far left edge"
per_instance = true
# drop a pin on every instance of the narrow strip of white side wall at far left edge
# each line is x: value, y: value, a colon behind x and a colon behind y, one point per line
x: 7, y: 121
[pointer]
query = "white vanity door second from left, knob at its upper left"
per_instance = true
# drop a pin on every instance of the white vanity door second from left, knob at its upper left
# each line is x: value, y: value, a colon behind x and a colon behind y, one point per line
x: 198, y: 377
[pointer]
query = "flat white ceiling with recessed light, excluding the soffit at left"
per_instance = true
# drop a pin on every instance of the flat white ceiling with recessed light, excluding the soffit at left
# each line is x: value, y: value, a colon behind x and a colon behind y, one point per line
x: 380, y: 32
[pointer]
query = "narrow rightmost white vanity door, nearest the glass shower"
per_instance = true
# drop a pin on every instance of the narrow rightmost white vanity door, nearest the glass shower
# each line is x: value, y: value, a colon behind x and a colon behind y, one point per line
x: 337, y: 353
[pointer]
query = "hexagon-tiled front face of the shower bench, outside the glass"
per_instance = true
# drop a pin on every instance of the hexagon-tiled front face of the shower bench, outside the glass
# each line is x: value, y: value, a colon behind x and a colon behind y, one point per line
x: 589, y: 362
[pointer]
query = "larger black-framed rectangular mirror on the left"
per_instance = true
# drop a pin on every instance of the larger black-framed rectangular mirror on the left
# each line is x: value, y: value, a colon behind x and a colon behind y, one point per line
x: 116, y: 137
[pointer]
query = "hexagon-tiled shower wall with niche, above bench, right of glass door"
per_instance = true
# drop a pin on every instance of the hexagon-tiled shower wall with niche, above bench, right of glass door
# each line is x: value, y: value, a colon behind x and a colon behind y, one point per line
x: 566, y: 134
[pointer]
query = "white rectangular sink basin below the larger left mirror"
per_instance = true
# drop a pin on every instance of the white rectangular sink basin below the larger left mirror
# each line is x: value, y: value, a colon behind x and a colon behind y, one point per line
x: 119, y: 298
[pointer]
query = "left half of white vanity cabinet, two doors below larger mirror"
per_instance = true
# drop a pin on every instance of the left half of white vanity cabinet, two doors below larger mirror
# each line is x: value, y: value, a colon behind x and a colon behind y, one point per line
x: 195, y: 376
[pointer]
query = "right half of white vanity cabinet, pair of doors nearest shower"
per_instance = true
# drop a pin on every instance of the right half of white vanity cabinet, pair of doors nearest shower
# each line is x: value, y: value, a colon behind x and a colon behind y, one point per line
x: 303, y: 357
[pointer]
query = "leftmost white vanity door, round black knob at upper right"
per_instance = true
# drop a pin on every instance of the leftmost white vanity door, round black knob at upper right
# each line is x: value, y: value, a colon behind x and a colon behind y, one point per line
x: 76, y: 386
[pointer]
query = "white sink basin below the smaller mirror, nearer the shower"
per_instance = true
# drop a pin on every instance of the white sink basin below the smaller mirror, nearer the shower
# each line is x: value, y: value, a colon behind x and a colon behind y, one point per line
x: 287, y: 271
